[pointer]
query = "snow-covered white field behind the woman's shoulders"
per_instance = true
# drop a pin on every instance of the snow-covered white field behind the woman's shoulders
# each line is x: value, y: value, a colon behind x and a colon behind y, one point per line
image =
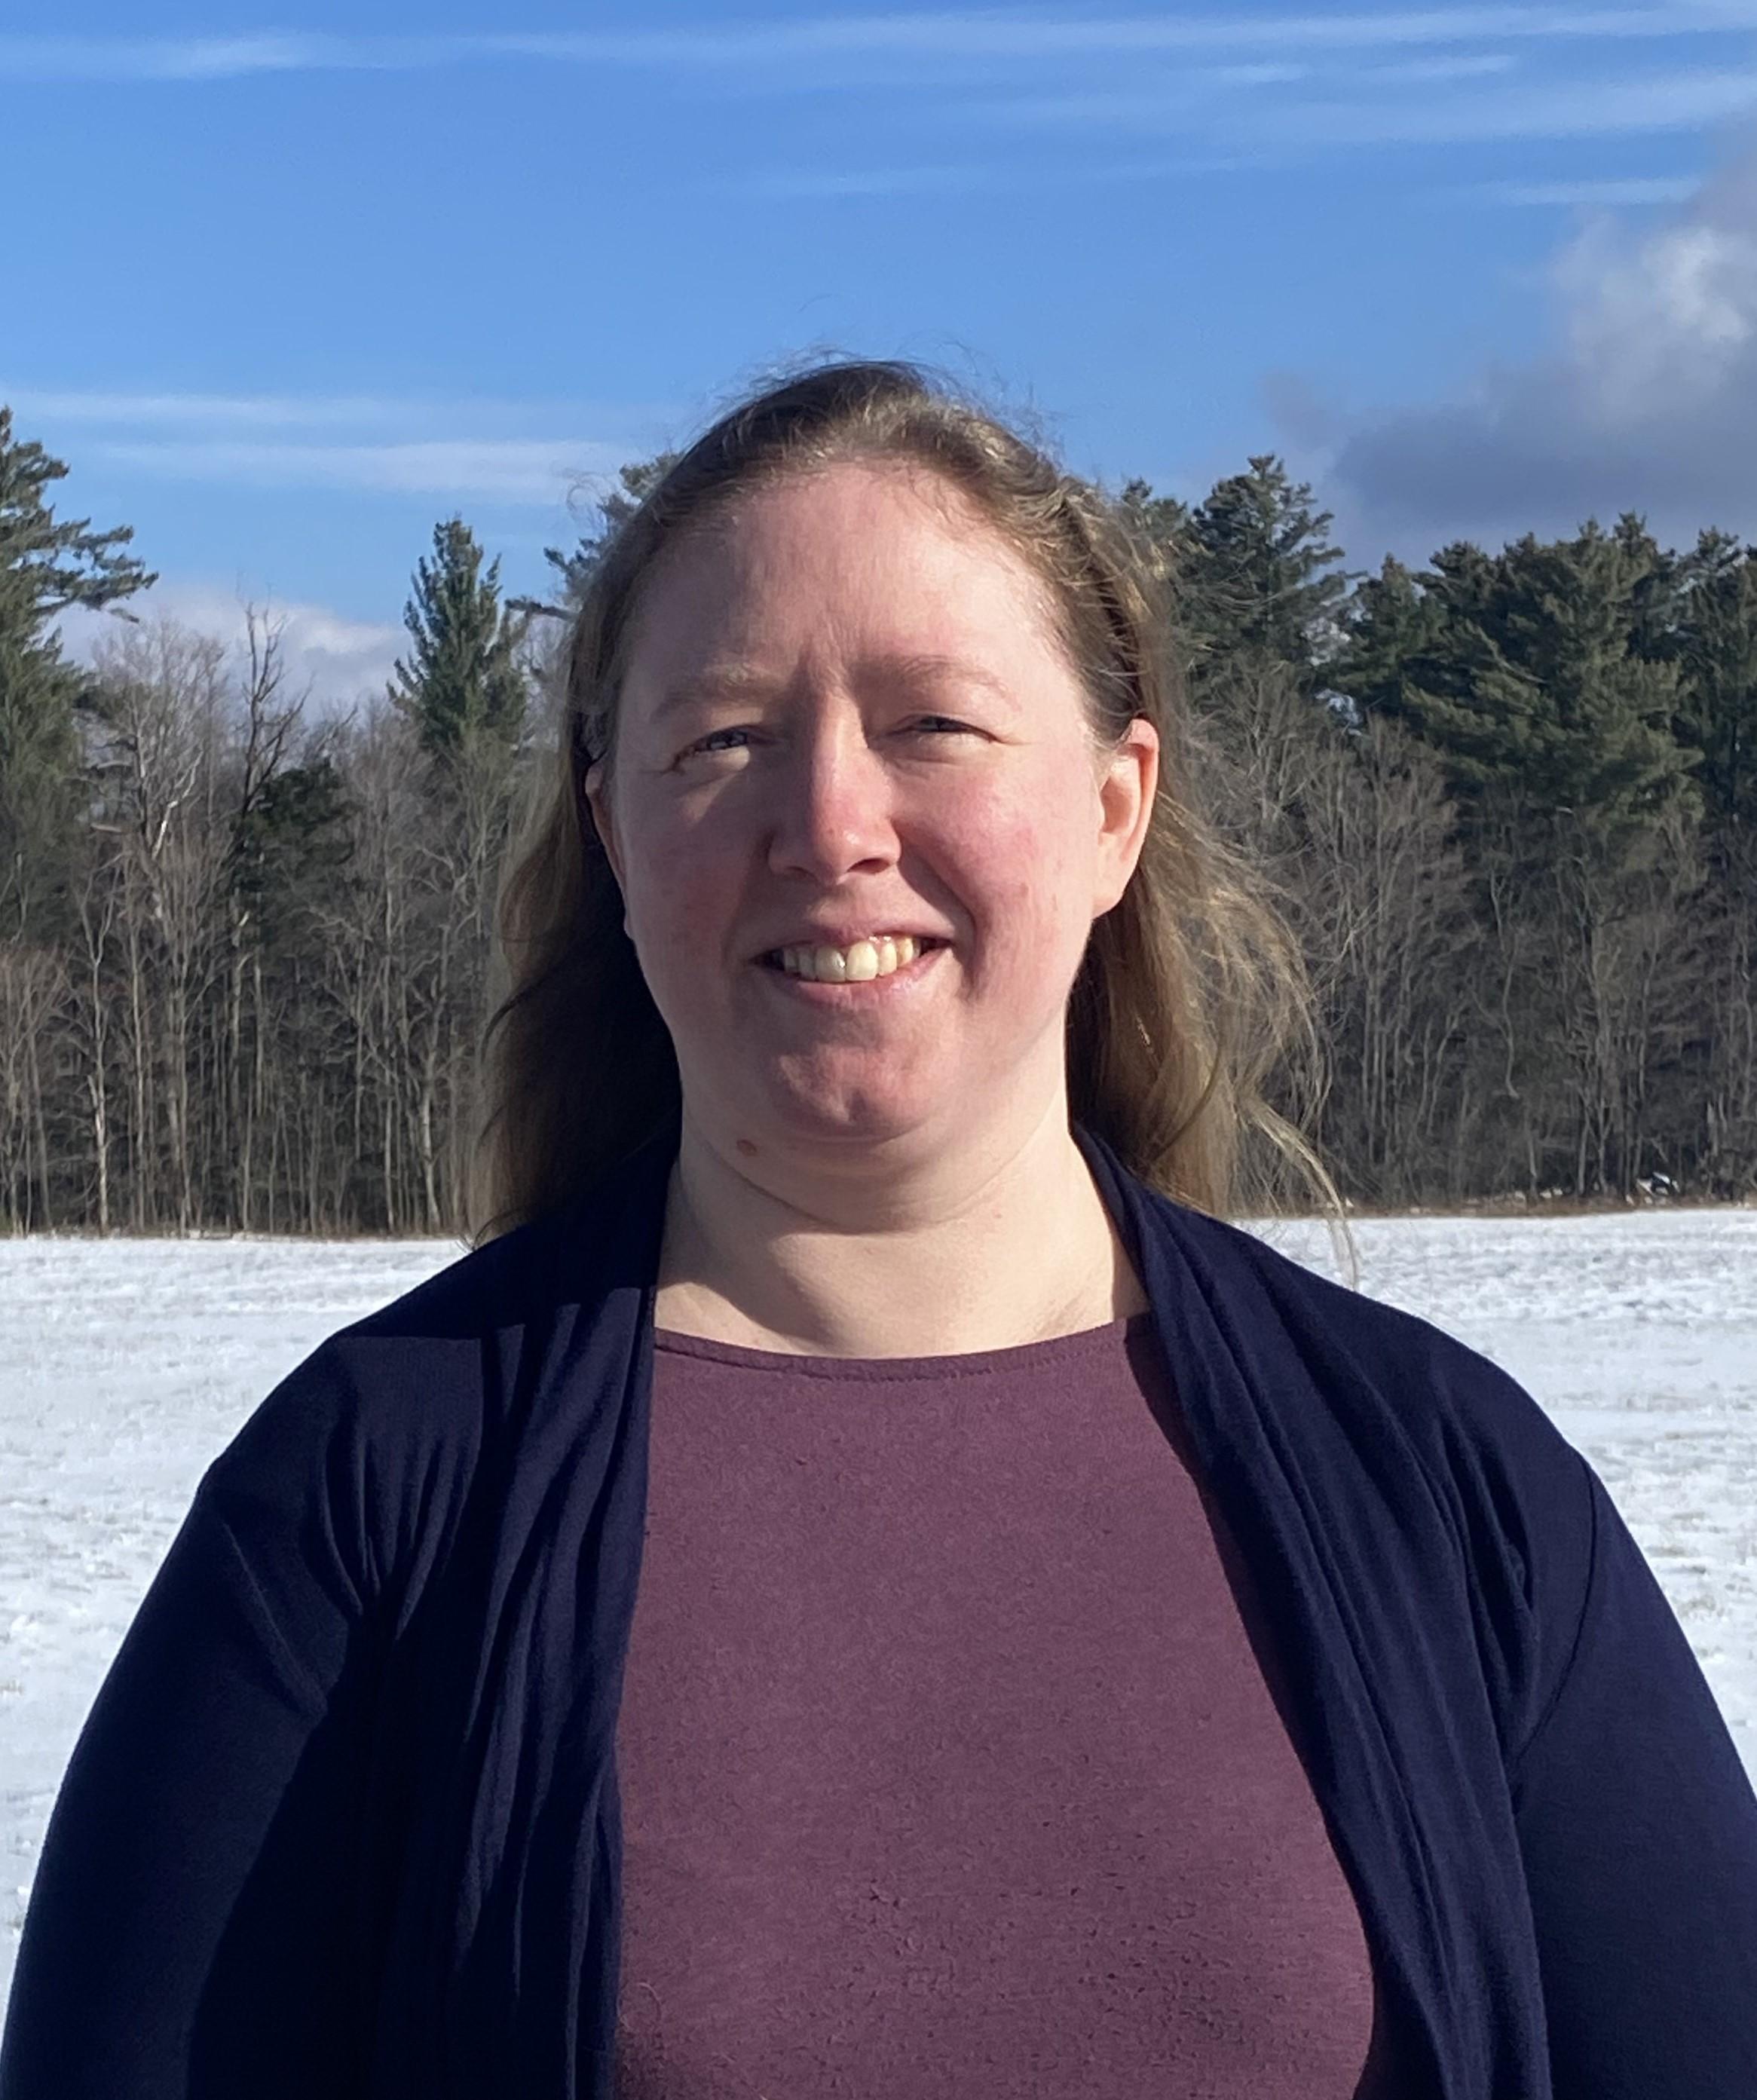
x: 127, y: 1366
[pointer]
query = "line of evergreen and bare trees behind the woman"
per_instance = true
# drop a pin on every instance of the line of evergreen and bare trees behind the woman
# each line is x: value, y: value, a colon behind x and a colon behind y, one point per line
x: 1508, y: 803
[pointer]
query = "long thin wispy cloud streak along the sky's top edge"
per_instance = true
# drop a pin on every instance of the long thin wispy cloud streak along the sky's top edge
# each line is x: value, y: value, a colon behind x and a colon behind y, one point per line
x: 929, y: 37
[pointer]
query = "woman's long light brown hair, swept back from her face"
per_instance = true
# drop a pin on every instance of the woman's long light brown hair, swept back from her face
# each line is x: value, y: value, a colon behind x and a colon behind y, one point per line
x: 1191, y: 1001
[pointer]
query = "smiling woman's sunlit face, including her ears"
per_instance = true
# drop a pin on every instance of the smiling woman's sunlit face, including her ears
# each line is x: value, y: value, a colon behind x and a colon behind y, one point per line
x: 847, y: 717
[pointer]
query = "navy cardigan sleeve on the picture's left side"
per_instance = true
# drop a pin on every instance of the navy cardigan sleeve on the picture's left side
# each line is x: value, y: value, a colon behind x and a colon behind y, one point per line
x: 190, y: 1929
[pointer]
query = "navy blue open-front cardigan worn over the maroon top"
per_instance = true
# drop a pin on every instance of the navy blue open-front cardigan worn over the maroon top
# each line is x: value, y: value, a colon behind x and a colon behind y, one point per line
x: 343, y: 1818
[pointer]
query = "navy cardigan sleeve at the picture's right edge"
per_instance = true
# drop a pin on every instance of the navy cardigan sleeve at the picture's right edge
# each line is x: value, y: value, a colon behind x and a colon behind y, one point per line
x: 1638, y: 1830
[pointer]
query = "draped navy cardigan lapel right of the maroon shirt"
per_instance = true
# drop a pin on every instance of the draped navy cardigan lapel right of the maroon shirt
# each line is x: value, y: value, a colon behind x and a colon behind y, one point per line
x: 1351, y: 1639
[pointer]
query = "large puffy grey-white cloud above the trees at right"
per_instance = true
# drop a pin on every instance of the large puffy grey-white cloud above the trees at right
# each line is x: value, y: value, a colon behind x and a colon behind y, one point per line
x: 1645, y: 402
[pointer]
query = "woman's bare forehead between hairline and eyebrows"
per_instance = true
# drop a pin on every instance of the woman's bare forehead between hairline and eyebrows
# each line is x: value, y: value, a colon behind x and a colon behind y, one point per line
x: 839, y: 555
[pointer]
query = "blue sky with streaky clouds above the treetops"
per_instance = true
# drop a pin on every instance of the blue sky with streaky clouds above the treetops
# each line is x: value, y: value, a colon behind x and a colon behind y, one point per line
x: 284, y: 289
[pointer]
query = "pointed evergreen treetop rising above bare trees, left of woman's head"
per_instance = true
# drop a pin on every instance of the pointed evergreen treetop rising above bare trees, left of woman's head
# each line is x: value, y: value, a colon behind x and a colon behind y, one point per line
x: 463, y: 679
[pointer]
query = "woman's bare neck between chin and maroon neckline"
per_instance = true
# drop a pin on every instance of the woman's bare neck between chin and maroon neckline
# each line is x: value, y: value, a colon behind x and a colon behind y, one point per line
x: 990, y: 1246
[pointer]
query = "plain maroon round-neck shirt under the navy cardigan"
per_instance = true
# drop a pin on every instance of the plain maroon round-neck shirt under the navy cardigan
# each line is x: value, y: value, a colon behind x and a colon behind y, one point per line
x: 948, y: 1763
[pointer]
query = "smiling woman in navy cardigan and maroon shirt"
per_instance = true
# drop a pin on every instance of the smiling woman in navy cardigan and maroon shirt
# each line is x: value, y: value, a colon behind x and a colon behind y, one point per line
x: 864, y: 1582
